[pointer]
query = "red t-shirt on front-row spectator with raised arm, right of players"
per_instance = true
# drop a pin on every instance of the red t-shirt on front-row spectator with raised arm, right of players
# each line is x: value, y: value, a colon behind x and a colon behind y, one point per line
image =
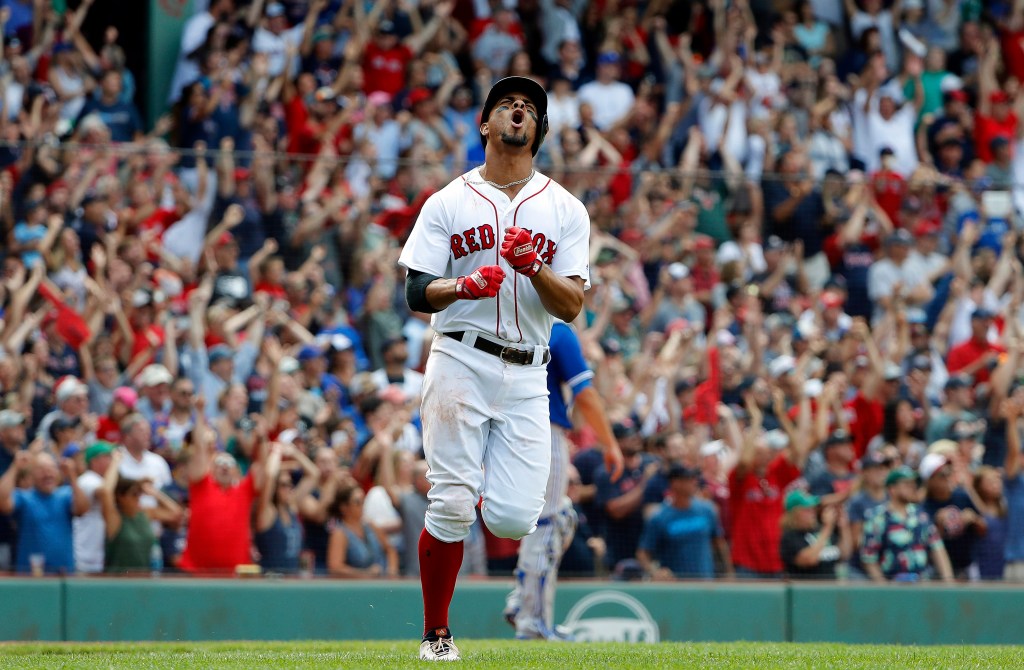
x: 757, y: 515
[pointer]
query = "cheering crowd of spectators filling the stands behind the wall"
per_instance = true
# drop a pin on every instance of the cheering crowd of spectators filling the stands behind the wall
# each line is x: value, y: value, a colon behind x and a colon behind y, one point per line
x: 806, y: 320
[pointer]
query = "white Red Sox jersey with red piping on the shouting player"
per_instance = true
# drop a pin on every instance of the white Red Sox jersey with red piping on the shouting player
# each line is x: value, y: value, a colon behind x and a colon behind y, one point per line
x: 461, y: 229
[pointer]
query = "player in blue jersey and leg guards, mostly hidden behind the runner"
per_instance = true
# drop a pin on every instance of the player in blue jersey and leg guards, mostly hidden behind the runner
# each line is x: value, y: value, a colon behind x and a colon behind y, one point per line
x: 531, y: 606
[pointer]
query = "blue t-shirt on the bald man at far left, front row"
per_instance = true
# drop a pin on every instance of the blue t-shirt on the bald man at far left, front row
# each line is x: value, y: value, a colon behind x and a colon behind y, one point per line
x: 45, y: 527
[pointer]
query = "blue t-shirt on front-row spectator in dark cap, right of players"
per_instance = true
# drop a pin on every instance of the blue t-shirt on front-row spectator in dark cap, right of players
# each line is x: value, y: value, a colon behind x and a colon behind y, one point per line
x: 680, y: 539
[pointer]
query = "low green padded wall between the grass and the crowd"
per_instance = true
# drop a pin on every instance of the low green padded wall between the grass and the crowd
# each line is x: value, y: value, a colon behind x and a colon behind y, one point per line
x: 87, y: 610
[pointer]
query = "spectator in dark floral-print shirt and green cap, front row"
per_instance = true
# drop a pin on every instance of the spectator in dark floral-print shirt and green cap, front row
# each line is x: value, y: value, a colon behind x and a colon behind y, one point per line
x: 901, y: 538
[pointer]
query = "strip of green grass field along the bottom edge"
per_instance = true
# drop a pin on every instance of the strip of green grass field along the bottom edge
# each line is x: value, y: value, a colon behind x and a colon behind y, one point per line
x: 502, y: 655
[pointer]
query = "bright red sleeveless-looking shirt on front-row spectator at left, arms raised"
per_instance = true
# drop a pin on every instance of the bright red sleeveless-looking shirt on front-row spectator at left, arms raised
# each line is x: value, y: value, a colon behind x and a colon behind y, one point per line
x: 219, y: 536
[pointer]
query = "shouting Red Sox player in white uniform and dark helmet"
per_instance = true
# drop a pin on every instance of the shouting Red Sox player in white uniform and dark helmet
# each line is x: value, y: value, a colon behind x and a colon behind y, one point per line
x: 496, y: 257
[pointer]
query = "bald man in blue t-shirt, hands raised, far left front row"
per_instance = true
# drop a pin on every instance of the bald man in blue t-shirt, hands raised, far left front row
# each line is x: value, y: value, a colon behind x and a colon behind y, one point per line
x: 45, y: 513
